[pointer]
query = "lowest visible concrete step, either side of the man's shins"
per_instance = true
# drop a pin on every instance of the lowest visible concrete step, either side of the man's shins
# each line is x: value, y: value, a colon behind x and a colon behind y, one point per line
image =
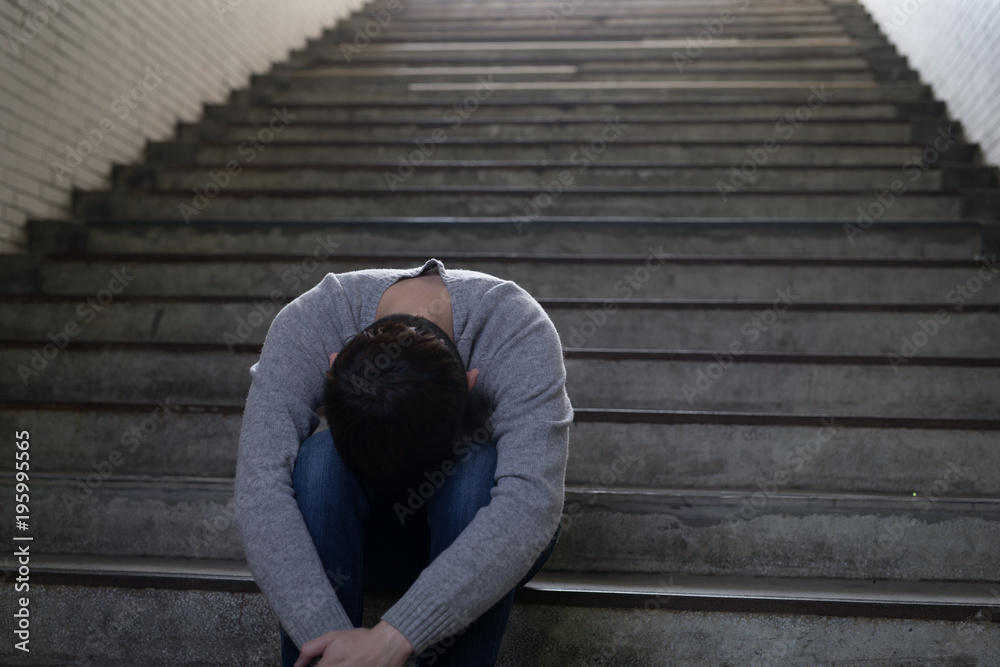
x: 627, y: 619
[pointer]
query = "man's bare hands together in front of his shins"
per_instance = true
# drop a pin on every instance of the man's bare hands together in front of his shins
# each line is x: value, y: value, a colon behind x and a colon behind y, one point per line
x: 381, y: 646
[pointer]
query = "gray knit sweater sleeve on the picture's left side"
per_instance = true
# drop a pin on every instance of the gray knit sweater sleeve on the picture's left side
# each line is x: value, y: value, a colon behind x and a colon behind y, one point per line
x: 280, y: 413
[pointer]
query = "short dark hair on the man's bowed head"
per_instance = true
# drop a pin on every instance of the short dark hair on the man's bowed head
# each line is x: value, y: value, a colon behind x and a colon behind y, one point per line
x: 395, y: 398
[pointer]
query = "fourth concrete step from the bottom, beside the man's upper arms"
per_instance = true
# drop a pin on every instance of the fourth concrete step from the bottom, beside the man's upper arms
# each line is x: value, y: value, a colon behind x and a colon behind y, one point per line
x: 960, y: 388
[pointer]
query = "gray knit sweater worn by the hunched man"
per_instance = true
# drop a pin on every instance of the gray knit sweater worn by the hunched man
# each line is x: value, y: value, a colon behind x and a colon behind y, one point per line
x: 499, y: 329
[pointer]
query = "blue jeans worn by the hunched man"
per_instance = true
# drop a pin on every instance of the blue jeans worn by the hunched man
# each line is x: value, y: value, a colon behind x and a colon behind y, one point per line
x: 362, y: 542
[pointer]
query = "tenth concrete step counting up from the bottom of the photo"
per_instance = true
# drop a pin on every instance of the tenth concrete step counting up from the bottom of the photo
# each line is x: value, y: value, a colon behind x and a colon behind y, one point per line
x: 624, y: 147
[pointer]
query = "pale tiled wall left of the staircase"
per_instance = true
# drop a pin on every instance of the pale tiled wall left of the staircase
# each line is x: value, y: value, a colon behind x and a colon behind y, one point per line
x: 84, y: 83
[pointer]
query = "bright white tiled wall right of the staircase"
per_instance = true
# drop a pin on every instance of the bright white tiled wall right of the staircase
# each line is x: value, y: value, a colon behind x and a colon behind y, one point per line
x: 955, y: 46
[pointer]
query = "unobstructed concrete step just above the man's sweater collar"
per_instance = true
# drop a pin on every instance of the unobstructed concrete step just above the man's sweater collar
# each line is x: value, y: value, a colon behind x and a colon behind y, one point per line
x: 891, y: 238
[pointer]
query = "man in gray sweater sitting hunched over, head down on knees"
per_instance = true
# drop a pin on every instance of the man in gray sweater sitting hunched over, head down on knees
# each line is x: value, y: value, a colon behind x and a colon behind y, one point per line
x: 408, y: 489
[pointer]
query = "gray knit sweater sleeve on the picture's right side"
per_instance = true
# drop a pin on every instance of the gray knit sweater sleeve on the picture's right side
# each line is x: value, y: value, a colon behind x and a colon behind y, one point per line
x: 520, y: 358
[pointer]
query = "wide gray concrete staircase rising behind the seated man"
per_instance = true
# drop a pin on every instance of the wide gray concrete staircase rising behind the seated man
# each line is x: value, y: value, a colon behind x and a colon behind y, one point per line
x: 771, y: 257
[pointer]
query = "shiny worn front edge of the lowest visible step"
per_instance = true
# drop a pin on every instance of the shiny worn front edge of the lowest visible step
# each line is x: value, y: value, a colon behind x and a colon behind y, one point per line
x: 924, y: 599
